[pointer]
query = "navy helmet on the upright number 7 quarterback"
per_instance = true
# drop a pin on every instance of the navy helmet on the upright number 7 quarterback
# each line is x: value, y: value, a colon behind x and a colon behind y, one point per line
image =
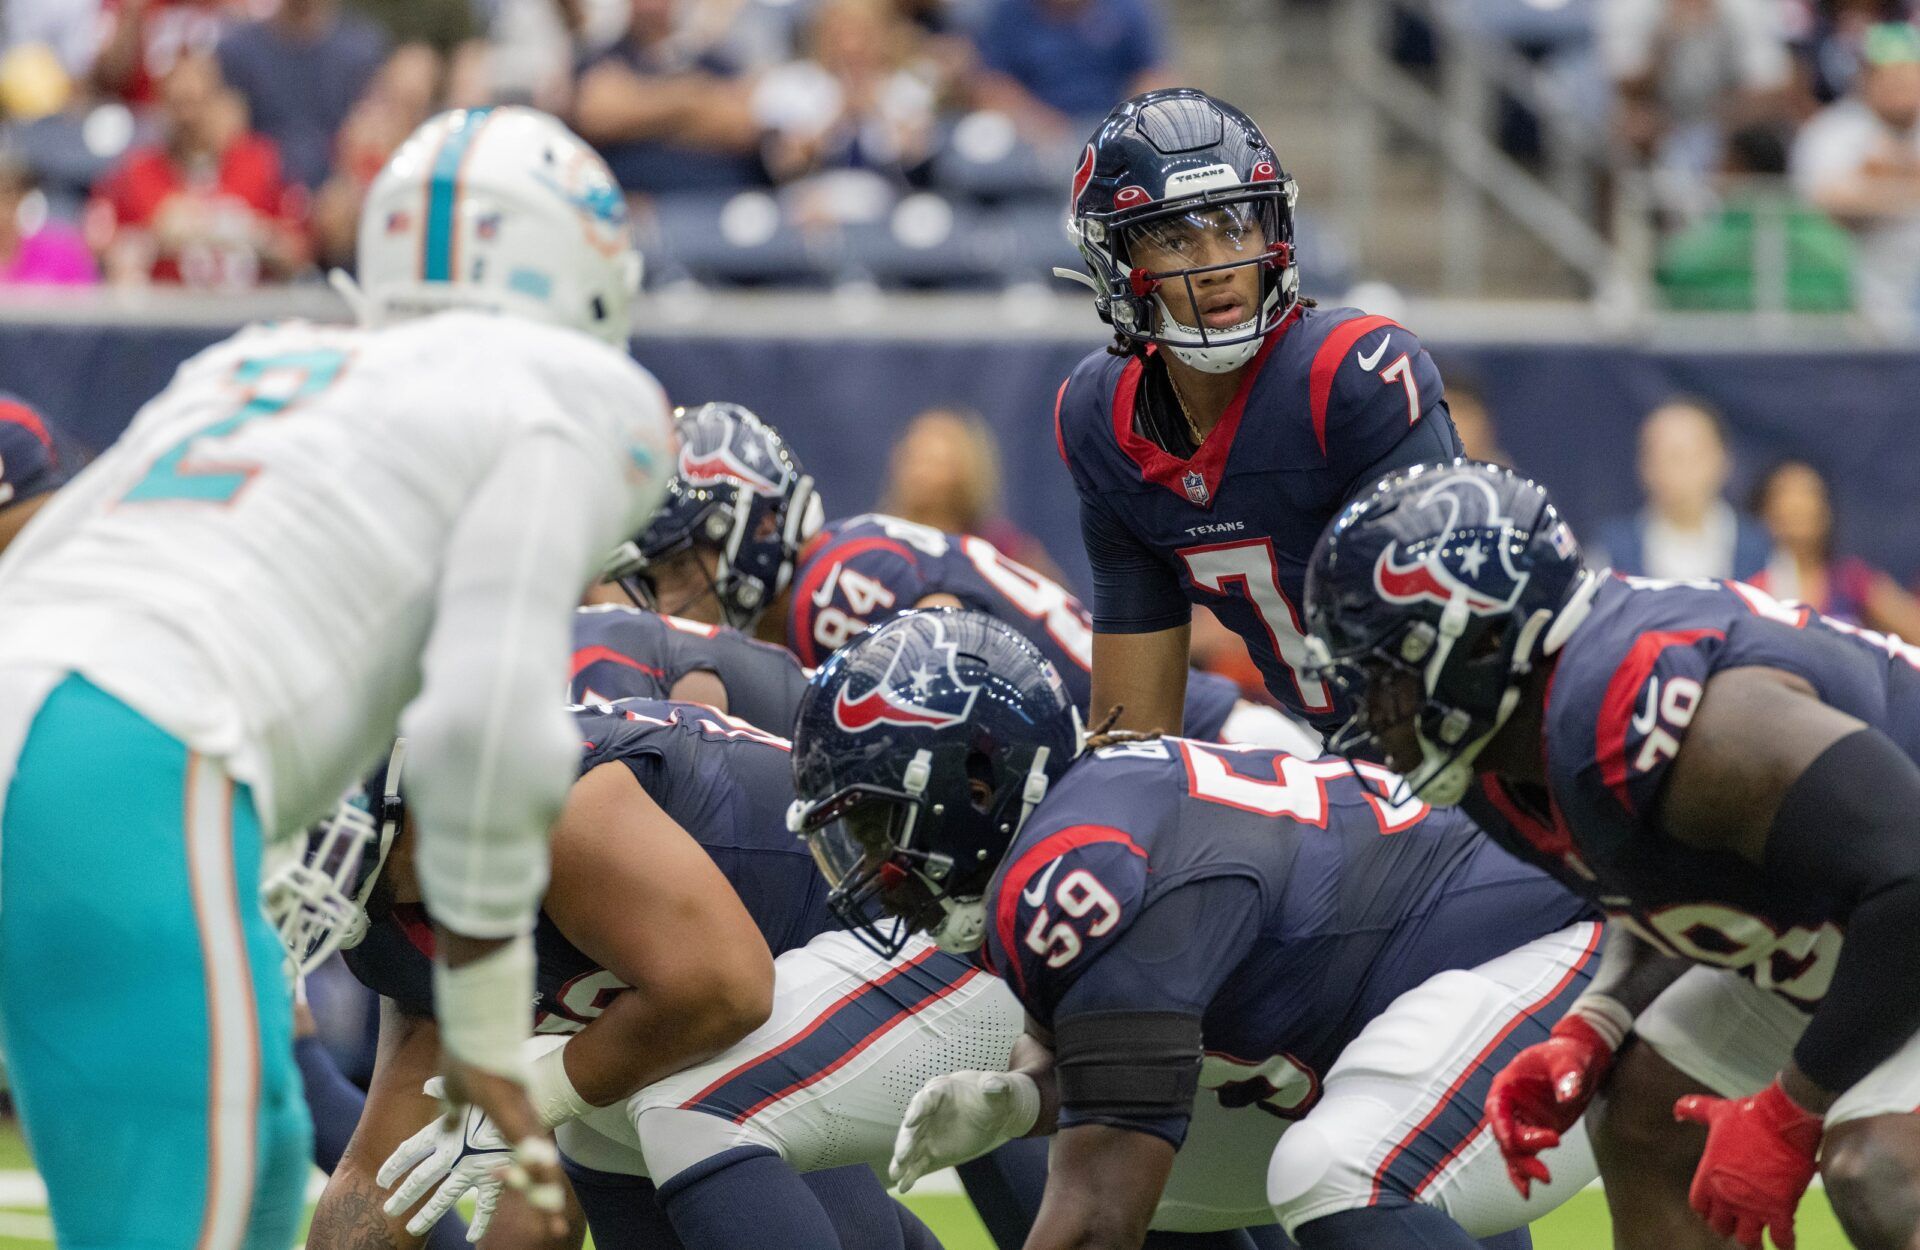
x: 1170, y: 160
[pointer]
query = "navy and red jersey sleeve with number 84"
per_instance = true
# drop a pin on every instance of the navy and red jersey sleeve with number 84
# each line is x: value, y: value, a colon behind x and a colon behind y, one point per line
x: 850, y: 587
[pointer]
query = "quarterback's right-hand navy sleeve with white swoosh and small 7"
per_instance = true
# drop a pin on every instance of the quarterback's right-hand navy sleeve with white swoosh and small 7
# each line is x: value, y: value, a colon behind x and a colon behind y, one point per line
x: 1372, y: 387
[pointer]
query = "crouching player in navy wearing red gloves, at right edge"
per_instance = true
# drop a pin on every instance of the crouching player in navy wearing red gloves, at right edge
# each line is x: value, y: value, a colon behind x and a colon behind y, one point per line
x: 1733, y: 779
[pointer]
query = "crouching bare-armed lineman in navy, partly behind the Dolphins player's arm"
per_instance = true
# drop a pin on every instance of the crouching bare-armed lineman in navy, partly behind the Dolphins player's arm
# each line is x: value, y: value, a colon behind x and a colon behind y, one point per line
x: 717, y: 1076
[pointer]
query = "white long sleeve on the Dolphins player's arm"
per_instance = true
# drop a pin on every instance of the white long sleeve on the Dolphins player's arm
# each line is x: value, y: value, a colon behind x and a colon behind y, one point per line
x: 492, y: 750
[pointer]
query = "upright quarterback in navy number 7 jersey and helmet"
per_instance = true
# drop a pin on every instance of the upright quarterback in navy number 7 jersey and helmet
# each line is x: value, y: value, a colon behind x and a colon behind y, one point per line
x: 1232, y: 420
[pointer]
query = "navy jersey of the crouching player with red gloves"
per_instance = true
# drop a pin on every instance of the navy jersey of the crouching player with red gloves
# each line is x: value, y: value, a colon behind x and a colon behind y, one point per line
x: 1623, y: 694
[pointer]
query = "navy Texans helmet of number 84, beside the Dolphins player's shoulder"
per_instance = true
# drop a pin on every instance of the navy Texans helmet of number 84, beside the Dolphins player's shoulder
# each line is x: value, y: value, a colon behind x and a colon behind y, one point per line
x: 738, y: 493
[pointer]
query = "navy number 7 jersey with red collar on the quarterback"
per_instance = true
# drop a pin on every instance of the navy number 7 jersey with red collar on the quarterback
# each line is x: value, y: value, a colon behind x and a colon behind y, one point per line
x: 1333, y: 400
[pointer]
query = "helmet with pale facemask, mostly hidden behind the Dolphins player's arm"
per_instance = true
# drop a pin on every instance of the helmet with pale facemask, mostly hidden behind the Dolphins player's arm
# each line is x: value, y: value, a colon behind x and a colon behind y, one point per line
x: 318, y: 903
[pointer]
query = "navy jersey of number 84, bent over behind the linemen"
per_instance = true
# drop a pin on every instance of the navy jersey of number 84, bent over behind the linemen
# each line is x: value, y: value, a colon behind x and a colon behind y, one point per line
x: 861, y: 571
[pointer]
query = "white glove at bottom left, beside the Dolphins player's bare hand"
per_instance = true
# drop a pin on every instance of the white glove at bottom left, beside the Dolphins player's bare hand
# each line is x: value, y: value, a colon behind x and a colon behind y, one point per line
x: 469, y: 1155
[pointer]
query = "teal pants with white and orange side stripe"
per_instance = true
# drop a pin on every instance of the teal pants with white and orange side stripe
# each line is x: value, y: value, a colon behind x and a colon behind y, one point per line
x: 149, y: 1024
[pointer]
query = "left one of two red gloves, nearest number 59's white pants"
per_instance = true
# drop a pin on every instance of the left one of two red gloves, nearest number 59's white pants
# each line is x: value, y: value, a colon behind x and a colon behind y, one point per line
x: 1543, y: 1094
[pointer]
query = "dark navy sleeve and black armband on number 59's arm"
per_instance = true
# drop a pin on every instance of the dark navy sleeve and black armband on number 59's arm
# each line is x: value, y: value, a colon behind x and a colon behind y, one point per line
x: 1166, y: 967
